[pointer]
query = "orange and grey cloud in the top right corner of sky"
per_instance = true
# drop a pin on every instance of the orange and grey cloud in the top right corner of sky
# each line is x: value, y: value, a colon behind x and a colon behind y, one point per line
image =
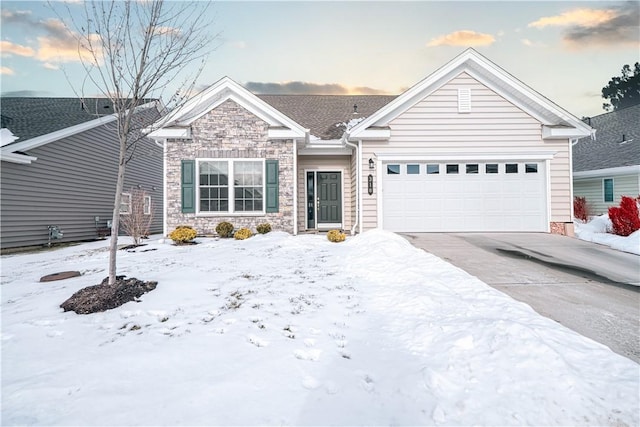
x: 613, y: 27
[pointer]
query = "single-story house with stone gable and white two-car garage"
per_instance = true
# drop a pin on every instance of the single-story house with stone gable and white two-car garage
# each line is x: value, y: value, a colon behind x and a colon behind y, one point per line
x: 469, y: 148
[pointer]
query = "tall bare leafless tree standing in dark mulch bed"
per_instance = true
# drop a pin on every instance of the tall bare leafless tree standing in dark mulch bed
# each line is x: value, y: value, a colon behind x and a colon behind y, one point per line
x: 132, y: 51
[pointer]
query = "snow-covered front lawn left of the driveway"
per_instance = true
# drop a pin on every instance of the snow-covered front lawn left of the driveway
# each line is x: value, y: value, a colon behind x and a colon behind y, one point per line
x: 283, y: 330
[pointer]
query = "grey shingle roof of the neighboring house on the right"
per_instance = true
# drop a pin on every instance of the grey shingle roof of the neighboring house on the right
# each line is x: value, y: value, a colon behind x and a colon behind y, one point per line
x: 617, y: 141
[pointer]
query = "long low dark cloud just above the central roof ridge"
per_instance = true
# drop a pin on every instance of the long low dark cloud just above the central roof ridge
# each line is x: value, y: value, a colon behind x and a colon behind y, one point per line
x: 307, y: 88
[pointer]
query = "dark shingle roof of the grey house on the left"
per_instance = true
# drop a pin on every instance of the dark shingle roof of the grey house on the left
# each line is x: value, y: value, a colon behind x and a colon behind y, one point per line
x: 28, y: 118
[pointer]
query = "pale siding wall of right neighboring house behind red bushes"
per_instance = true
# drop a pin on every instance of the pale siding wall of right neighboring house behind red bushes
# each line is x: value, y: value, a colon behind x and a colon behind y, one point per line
x: 592, y: 189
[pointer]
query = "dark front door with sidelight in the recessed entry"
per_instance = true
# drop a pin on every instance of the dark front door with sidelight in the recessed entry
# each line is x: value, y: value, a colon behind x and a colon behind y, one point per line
x: 327, y: 189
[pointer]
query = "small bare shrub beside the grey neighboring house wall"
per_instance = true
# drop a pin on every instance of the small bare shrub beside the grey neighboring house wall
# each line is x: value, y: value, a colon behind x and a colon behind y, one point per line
x: 136, y: 214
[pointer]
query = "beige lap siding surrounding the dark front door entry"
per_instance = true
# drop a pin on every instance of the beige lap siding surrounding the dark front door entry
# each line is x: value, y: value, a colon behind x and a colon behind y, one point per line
x: 326, y: 163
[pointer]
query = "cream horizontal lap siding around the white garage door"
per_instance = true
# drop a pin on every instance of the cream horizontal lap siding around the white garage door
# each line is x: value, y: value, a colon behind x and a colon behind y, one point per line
x: 494, y: 125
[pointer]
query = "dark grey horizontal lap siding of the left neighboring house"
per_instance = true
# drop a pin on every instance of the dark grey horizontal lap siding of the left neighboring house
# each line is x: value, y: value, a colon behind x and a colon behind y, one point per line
x: 71, y: 182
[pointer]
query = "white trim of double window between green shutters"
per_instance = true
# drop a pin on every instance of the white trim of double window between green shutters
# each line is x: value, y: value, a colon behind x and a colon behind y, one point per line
x: 231, y: 187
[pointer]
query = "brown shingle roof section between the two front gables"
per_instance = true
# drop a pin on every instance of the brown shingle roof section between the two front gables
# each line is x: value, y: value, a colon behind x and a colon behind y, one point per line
x: 327, y: 116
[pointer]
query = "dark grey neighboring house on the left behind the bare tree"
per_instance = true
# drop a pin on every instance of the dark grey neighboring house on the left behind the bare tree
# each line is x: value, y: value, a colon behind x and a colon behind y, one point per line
x: 59, y: 168
